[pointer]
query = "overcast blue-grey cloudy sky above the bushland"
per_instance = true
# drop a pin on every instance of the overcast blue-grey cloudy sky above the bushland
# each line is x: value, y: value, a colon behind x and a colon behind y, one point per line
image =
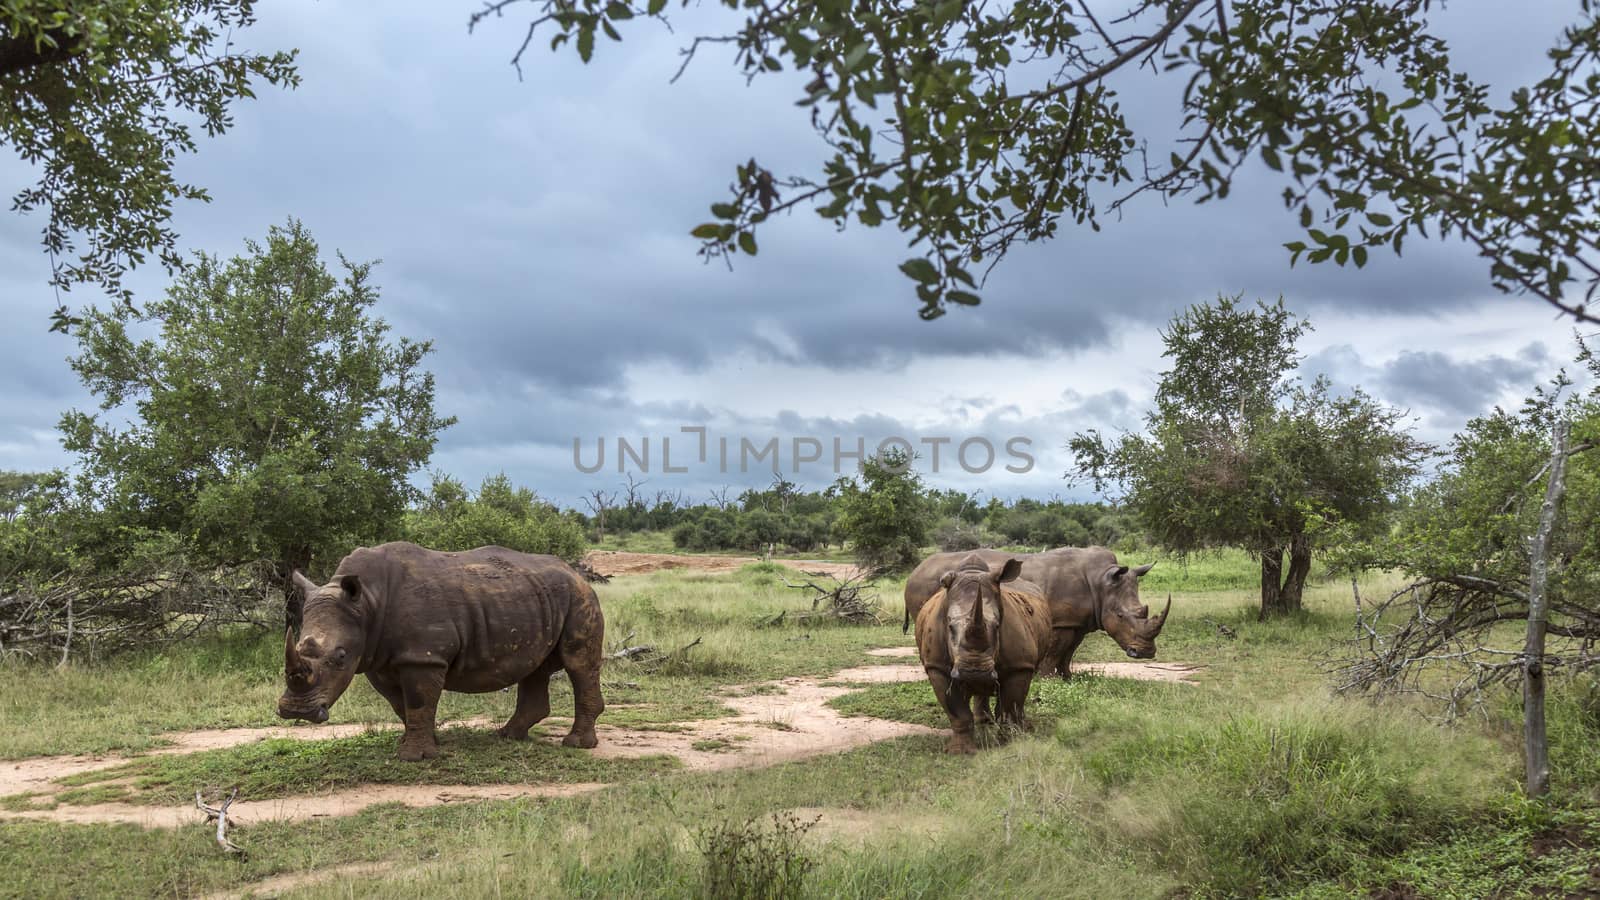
x: 538, y: 233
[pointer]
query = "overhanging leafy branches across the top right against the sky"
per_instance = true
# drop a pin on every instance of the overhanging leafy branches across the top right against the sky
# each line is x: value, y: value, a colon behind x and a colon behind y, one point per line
x: 975, y: 127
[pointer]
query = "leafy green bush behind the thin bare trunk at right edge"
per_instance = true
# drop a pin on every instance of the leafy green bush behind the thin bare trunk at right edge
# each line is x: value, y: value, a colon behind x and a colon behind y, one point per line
x: 1463, y: 545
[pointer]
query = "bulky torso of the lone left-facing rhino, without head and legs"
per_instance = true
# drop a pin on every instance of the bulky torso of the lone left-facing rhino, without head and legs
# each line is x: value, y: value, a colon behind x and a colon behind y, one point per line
x: 490, y: 614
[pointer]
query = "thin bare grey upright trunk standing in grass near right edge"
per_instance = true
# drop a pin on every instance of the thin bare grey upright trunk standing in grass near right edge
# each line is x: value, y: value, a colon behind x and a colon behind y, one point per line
x: 1537, y: 750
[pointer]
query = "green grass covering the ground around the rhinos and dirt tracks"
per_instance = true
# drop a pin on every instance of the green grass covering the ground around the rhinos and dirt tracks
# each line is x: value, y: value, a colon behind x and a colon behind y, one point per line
x: 1255, y: 782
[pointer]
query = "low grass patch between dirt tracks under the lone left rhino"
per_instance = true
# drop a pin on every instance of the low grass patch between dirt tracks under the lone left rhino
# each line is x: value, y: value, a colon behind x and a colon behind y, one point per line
x: 282, y: 768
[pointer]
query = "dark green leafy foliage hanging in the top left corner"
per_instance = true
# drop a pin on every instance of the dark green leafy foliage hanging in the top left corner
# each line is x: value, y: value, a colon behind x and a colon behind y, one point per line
x: 102, y: 97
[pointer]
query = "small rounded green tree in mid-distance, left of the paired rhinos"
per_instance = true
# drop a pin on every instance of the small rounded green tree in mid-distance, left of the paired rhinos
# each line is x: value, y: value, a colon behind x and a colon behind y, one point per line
x: 886, y: 515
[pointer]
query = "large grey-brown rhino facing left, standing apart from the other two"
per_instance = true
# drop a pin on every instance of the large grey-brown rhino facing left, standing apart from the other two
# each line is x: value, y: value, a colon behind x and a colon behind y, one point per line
x: 420, y: 622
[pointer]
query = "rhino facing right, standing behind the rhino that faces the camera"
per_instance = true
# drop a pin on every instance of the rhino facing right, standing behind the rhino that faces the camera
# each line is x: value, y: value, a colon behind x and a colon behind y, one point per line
x: 1087, y: 592
